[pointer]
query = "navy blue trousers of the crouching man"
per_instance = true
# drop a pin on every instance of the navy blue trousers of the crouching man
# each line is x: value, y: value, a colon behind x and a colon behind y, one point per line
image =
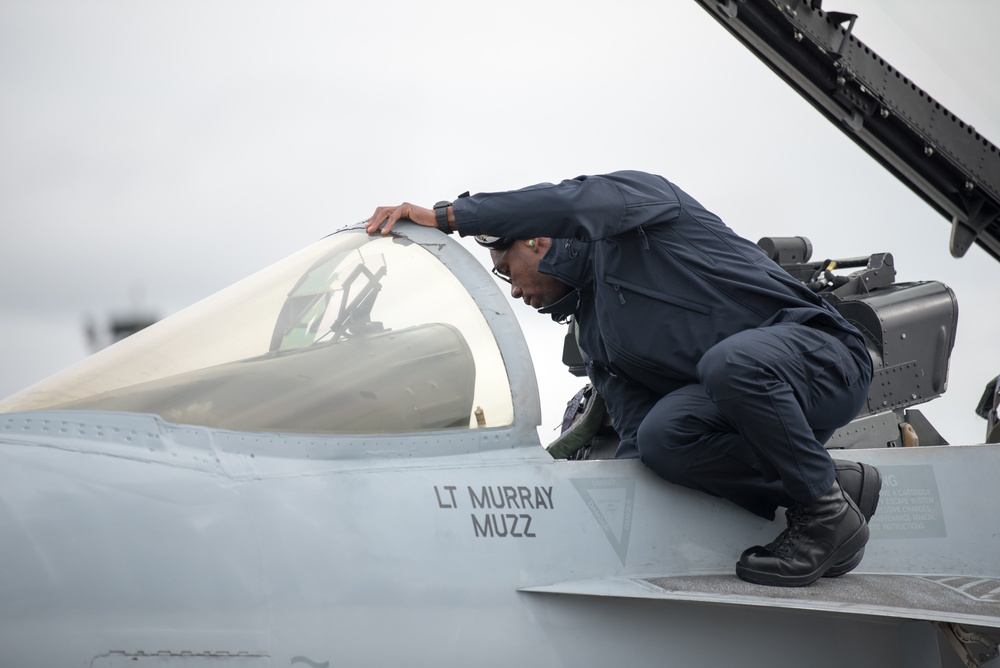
x: 752, y: 430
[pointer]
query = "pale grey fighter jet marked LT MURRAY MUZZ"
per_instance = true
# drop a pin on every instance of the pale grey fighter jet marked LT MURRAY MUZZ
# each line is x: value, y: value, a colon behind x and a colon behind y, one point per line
x: 335, y: 462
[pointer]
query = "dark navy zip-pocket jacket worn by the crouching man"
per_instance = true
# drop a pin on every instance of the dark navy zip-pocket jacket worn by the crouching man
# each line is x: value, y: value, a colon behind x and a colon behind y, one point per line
x: 658, y: 281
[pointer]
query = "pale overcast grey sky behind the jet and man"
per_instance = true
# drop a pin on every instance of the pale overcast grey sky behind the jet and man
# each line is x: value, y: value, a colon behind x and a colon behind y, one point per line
x: 154, y: 152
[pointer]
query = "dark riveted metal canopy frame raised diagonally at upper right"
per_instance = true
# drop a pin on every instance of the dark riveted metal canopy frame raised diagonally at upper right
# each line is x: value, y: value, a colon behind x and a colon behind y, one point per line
x: 937, y: 155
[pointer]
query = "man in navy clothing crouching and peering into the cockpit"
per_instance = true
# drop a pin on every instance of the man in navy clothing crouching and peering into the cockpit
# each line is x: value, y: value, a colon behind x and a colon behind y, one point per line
x: 720, y: 371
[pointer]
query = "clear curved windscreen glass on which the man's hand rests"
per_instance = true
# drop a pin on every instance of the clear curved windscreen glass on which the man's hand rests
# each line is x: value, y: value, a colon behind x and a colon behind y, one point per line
x: 354, y: 334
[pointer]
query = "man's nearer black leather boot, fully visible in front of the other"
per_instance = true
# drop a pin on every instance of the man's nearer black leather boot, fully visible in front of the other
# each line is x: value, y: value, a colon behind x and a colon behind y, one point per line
x: 820, y: 534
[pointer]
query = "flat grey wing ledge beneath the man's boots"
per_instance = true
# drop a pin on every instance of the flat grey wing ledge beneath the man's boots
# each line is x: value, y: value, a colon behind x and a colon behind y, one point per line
x: 939, y: 598
